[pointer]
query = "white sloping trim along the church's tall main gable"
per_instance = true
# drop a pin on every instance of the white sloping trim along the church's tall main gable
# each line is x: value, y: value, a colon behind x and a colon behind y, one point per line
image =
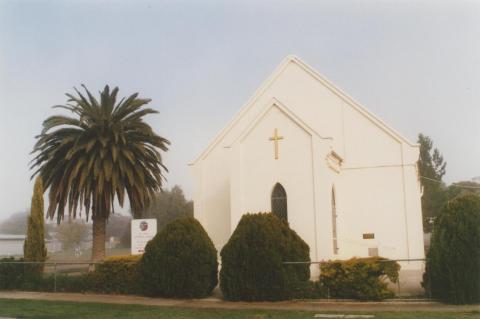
x: 328, y: 84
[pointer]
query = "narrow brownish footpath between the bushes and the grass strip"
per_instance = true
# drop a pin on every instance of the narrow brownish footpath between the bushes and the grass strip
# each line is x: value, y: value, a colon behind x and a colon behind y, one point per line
x: 310, y: 305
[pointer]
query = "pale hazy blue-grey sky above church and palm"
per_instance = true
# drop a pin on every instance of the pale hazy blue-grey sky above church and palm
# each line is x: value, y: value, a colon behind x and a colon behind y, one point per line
x: 415, y: 64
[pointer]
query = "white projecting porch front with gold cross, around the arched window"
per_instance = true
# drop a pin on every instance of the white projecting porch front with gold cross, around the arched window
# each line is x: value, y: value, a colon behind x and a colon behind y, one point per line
x: 260, y: 171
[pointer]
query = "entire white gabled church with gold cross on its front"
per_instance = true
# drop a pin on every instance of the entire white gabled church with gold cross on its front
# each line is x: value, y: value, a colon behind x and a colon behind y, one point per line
x: 347, y: 183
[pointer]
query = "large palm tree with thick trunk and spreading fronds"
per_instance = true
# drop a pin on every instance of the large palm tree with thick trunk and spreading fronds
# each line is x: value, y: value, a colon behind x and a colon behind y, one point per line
x: 104, y: 151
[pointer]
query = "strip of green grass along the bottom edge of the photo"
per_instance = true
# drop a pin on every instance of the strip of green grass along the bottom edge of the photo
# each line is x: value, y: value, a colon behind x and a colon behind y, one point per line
x: 50, y: 309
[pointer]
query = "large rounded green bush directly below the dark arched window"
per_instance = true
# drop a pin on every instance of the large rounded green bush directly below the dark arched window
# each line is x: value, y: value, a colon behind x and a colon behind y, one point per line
x: 253, y: 260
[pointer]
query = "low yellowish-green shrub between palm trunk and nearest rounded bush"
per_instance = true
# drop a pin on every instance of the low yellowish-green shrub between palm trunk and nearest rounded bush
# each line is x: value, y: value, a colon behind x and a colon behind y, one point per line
x: 116, y: 275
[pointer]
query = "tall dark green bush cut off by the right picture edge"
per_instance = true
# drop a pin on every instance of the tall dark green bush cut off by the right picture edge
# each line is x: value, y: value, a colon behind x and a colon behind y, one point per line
x: 453, y: 261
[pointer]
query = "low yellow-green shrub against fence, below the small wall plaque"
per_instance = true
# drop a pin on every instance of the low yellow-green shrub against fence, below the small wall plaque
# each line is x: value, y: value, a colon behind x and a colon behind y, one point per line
x: 359, y: 278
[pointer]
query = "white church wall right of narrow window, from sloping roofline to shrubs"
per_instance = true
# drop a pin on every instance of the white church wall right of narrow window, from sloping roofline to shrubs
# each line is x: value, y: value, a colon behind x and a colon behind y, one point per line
x: 376, y: 179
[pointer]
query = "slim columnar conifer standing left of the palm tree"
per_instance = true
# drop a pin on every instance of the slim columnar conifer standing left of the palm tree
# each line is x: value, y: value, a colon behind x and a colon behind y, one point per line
x: 34, y: 247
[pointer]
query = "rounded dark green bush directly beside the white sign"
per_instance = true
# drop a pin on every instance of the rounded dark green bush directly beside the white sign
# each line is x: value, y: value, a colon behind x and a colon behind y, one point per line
x: 180, y: 261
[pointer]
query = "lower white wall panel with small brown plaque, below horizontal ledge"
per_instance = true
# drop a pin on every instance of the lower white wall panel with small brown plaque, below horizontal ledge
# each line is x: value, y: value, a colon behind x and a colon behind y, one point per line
x: 373, y: 204
